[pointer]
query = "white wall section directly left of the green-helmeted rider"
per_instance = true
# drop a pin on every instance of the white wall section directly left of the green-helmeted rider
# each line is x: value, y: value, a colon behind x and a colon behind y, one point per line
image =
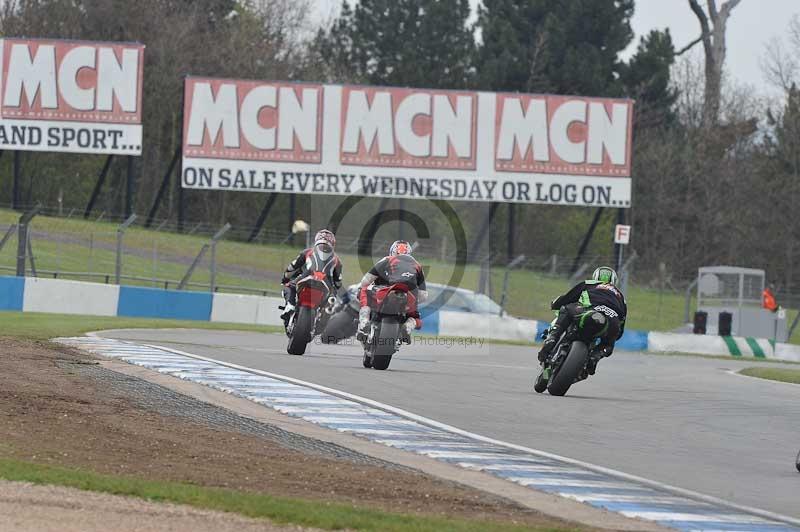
x: 486, y: 326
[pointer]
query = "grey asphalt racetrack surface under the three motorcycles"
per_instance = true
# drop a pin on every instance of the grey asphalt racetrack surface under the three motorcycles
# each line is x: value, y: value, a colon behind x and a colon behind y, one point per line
x: 683, y: 421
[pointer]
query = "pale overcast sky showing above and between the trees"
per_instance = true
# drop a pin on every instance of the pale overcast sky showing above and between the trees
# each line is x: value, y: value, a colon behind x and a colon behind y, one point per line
x: 752, y: 24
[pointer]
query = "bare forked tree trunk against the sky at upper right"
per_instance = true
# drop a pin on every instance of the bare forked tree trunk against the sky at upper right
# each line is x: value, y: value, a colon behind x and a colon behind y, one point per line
x: 713, y: 24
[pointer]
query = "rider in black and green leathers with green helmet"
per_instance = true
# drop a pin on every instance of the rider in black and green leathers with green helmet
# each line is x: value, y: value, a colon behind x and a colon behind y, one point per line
x: 600, y: 293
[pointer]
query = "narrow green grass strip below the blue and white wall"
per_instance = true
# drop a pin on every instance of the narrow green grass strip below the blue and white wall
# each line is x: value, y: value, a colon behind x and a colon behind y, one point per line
x: 40, y: 326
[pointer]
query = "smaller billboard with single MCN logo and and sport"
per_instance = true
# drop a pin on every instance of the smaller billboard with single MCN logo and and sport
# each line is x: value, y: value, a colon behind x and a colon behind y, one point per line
x: 71, y: 96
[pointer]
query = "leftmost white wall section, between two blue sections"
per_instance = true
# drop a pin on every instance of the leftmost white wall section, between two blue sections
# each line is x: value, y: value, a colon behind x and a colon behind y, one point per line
x: 70, y: 297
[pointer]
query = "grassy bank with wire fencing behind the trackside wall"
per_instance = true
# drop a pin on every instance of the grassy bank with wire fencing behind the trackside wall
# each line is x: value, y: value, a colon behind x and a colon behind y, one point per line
x: 219, y: 258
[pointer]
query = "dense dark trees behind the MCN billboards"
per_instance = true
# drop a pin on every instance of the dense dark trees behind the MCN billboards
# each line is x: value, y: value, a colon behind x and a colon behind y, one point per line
x: 715, y: 167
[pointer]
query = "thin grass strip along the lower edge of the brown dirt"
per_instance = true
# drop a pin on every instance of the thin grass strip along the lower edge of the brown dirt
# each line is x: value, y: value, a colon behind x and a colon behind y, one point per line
x: 280, y: 510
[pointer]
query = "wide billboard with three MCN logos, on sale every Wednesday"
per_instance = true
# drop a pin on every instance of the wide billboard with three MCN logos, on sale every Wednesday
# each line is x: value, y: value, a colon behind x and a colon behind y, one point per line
x: 310, y: 138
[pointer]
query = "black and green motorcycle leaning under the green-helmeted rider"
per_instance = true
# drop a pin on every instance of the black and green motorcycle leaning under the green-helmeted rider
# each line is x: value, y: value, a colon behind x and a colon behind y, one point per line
x: 569, y: 359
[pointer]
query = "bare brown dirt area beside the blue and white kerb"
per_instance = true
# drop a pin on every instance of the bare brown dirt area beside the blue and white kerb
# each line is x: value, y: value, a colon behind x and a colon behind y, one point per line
x: 52, y: 412
